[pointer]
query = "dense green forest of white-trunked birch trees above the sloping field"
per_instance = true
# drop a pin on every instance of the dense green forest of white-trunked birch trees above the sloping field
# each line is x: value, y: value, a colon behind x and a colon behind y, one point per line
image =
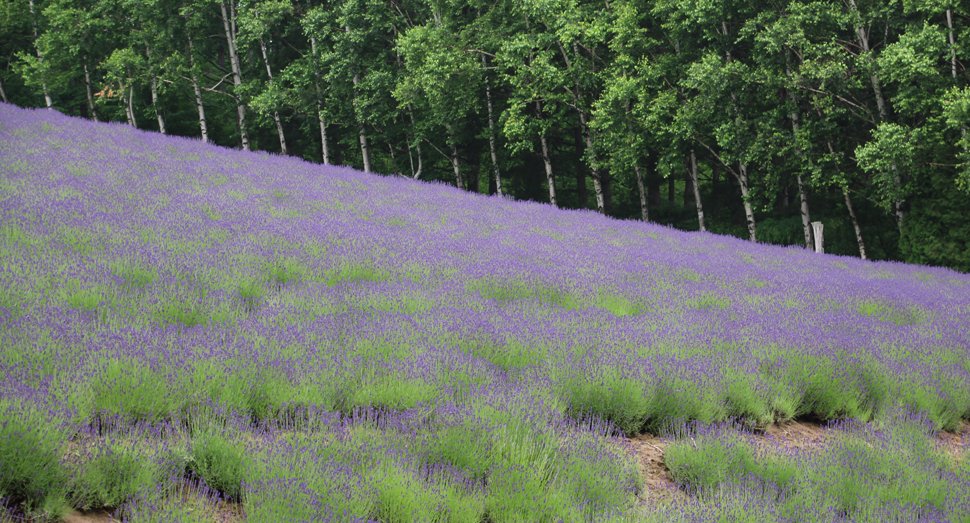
x: 737, y: 117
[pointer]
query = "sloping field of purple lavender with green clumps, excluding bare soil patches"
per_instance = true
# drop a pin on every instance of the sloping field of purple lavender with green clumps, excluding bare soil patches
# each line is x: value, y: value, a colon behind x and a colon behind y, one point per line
x: 183, y: 325
